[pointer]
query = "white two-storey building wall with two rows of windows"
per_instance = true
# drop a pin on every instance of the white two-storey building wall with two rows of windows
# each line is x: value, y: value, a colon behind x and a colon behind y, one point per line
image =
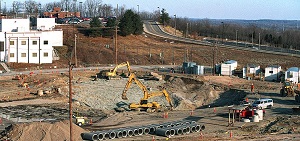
x: 30, y: 47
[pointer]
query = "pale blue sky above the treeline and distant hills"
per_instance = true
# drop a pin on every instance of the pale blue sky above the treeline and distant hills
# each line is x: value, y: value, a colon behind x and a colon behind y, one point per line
x: 211, y: 9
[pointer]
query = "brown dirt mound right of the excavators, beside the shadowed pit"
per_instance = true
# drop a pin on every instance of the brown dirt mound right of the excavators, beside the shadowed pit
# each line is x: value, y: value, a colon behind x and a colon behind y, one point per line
x: 189, y: 93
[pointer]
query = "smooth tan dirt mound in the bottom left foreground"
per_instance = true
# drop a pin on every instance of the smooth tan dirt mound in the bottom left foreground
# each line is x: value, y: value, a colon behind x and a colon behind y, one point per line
x: 42, y: 131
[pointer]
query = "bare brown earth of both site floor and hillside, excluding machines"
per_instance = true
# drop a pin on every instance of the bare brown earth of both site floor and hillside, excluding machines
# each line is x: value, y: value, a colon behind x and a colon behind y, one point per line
x: 97, y: 99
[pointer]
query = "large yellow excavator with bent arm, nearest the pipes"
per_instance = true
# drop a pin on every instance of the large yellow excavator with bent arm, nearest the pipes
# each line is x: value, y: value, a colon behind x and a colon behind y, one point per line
x: 144, y: 104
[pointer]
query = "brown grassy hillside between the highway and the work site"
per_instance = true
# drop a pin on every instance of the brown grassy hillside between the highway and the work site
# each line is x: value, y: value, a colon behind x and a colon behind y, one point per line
x: 148, y: 50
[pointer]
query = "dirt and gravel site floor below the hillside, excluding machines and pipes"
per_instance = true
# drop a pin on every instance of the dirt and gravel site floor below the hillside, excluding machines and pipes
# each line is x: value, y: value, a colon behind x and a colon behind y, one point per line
x: 203, y: 99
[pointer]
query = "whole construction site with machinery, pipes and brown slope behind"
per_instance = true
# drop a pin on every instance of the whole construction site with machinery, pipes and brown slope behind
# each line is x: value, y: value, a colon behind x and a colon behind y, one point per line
x: 142, y: 98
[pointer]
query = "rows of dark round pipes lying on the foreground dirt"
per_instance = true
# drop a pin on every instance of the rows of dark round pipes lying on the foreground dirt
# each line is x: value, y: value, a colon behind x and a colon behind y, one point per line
x: 166, y: 129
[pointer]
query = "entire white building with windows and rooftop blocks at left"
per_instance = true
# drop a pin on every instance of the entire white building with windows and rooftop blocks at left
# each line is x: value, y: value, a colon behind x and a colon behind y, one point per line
x: 21, y: 45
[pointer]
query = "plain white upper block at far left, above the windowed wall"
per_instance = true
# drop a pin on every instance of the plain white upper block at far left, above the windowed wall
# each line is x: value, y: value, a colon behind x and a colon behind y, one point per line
x: 14, y: 25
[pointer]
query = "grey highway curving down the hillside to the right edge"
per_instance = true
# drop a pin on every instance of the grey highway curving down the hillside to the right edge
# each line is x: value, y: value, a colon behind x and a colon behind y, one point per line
x: 152, y: 28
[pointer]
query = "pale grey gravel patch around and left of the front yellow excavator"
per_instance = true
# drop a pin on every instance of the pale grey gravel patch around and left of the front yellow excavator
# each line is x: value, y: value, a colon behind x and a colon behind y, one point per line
x: 106, y: 94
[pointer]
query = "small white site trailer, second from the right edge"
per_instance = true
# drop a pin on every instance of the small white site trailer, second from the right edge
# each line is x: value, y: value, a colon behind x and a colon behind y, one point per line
x: 272, y: 73
